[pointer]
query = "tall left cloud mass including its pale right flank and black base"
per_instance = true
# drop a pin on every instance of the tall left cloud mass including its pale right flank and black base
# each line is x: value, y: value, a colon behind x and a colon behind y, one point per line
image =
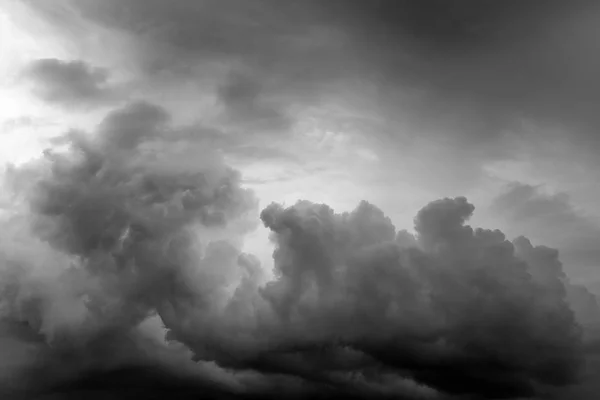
x: 122, y: 225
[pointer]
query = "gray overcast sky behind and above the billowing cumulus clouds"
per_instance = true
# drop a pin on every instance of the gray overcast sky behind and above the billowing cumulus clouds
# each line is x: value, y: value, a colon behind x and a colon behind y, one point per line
x: 397, y: 102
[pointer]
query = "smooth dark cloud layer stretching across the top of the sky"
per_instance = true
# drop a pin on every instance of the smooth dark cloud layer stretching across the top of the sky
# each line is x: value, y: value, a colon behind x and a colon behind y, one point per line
x: 458, y: 75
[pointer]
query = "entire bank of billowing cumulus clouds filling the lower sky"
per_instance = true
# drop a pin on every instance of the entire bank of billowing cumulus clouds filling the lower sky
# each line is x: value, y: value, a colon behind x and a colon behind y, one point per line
x: 121, y: 262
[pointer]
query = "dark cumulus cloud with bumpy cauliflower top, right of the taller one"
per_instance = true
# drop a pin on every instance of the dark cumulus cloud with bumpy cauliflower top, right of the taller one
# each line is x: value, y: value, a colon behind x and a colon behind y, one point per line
x: 341, y: 275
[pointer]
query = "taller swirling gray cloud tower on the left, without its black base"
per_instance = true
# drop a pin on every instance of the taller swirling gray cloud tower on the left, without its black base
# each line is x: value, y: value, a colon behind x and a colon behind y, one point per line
x: 97, y: 207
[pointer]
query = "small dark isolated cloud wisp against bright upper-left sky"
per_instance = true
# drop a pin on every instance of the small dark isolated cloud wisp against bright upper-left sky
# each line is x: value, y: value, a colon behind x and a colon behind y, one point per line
x: 71, y: 83
